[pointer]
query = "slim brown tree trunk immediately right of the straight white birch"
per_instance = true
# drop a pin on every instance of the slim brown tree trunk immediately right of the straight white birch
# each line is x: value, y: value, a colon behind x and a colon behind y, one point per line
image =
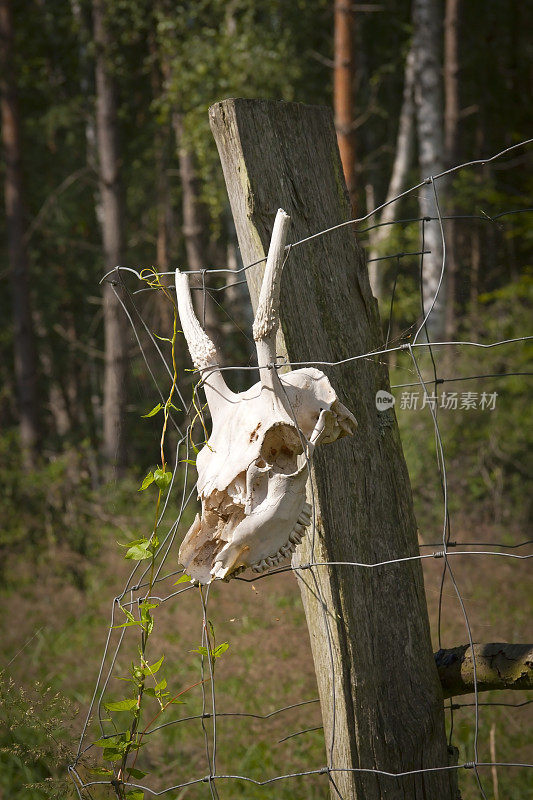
x: 451, y: 140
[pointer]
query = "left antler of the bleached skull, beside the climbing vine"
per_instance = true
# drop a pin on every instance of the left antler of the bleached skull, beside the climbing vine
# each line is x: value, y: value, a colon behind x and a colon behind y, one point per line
x: 203, y: 351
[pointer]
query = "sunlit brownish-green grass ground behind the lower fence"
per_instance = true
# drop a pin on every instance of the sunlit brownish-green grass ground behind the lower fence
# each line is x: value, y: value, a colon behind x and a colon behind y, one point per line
x: 267, y: 666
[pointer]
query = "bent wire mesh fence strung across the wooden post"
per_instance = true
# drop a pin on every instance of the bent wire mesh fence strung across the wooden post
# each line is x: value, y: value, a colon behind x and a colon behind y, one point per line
x: 139, y: 581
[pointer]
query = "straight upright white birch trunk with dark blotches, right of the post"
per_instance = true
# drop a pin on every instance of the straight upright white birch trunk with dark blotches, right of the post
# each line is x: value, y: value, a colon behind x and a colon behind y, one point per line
x: 429, y: 114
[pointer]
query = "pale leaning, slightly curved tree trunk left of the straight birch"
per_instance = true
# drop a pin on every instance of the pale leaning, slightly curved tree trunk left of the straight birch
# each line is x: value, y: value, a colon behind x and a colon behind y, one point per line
x: 402, y: 162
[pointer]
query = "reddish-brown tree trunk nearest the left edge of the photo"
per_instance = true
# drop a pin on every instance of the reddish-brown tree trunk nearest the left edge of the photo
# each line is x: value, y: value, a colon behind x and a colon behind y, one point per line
x: 23, y: 332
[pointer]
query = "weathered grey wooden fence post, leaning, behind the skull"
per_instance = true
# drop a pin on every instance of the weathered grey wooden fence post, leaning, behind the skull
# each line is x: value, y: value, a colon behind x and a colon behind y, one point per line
x: 380, y: 694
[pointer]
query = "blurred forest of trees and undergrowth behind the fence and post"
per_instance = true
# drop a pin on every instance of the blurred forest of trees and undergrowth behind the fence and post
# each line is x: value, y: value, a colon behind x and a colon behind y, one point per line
x: 108, y: 159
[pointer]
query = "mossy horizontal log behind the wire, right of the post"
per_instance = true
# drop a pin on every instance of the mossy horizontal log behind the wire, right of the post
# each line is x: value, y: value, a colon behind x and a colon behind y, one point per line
x: 498, y: 666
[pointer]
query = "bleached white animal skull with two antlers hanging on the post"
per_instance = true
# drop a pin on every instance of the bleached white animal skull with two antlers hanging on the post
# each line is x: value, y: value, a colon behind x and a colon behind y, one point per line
x: 253, y: 470
